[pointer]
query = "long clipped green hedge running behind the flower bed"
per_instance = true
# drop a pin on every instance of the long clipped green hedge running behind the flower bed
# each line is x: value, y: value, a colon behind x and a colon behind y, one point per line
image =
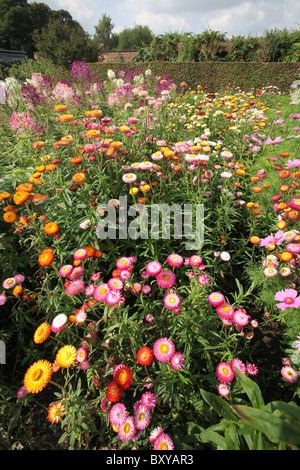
x: 211, y: 74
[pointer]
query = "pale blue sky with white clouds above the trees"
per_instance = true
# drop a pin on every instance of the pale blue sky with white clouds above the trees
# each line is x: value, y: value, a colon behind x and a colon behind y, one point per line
x: 231, y: 17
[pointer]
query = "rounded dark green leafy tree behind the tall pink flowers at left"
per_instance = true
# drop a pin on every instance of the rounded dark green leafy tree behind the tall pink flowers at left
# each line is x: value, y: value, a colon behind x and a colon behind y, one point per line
x: 63, y: 40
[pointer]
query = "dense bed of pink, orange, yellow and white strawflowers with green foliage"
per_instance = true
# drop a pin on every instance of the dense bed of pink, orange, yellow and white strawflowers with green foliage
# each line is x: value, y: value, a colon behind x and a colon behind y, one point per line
x: 149, y: 235
